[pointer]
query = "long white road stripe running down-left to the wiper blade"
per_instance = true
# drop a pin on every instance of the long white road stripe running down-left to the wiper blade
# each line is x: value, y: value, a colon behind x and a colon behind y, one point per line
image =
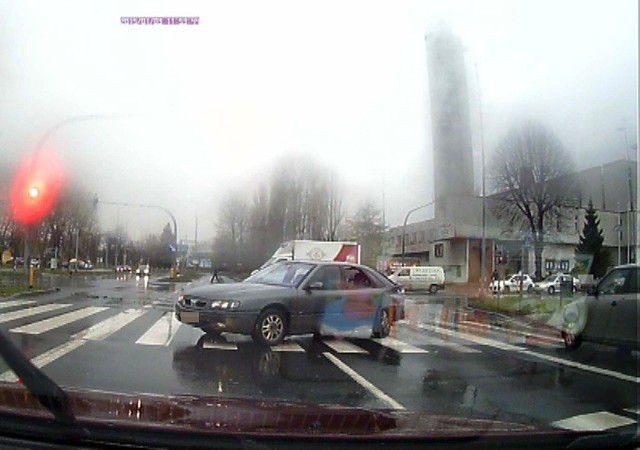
x: 98, y: 331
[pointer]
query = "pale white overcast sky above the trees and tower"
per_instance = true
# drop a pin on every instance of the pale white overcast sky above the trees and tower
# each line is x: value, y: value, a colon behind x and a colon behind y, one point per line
x: 205, y: 108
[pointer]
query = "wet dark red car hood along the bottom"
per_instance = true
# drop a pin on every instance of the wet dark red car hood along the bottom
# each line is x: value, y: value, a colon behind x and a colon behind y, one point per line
x: 213, y: 415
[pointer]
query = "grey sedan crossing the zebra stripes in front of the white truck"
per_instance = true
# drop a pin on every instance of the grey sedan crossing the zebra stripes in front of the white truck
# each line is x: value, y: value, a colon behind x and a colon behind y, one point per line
x: 295, y: 297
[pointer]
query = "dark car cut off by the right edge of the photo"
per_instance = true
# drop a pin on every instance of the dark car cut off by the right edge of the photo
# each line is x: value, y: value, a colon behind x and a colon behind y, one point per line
x: 609, y: 313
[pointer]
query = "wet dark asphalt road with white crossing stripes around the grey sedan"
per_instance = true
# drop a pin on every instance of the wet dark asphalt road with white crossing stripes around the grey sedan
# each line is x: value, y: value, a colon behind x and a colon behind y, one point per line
x: 119, y: 335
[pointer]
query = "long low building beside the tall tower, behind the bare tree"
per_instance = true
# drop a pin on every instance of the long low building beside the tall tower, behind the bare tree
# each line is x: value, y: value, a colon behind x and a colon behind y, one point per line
x: 453, y: 239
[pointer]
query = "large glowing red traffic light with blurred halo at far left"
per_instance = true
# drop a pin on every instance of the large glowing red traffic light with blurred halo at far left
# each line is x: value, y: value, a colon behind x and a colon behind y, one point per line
x: 35, y: 187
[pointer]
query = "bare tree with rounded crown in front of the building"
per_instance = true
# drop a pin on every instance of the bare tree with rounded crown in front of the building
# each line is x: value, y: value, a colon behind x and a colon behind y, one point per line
x: 531, y: 174
